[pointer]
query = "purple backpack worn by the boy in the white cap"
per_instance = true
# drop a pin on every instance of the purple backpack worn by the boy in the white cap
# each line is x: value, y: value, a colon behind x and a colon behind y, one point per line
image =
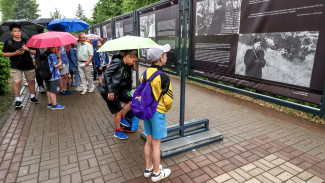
x: 143, y: 104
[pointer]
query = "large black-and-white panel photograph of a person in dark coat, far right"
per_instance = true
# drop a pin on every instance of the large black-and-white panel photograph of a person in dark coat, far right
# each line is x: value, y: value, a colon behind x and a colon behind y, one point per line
x: 285, y: 57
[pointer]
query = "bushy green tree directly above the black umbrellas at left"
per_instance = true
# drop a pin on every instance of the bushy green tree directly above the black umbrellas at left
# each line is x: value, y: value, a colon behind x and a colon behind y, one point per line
x: 25, y: 9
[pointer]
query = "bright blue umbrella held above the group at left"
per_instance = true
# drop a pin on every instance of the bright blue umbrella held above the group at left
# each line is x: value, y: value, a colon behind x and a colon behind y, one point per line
x: 67, y: 25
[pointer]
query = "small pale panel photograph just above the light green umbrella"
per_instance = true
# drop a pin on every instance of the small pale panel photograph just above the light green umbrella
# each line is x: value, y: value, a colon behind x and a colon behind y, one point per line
x: 147, y: 26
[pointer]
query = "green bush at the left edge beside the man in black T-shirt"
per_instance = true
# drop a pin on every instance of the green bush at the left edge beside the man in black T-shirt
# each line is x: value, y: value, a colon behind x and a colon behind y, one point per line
x: 4, y: 72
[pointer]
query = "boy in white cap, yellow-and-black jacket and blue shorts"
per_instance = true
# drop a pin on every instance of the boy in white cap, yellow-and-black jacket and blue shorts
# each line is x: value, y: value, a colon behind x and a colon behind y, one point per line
x: 156, y: 127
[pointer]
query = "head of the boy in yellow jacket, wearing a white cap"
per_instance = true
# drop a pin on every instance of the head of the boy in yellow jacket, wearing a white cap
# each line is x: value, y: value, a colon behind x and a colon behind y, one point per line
x: 158, y: 54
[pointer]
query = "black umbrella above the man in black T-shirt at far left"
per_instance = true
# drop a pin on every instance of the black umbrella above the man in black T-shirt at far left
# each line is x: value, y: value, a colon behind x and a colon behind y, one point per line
x: 27, y: 29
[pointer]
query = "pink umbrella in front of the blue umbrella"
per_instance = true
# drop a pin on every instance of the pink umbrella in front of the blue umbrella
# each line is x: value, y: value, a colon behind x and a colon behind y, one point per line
x: 51, y: 39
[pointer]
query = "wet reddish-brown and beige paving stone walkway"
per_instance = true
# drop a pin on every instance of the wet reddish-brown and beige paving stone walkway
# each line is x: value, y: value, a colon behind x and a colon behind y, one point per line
x: 77, y: 144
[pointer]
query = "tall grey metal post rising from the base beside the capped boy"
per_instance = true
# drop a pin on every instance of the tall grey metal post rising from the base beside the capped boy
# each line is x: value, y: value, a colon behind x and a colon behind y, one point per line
x: 183, y: 65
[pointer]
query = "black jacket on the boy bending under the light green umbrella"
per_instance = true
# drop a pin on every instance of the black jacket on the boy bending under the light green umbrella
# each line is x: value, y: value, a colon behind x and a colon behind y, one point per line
x: 117, y: 77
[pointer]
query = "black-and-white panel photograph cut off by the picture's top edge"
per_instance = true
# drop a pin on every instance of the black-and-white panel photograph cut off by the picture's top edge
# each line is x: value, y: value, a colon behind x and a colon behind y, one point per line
x: 217, y: 17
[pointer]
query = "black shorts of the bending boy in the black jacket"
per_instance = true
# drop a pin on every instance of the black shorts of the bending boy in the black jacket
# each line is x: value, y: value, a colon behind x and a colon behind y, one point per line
x: 114, y: 105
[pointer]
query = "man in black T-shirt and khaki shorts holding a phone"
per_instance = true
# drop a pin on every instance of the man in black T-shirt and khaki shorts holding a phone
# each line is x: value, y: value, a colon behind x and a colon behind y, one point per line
x: 20, y: 63
